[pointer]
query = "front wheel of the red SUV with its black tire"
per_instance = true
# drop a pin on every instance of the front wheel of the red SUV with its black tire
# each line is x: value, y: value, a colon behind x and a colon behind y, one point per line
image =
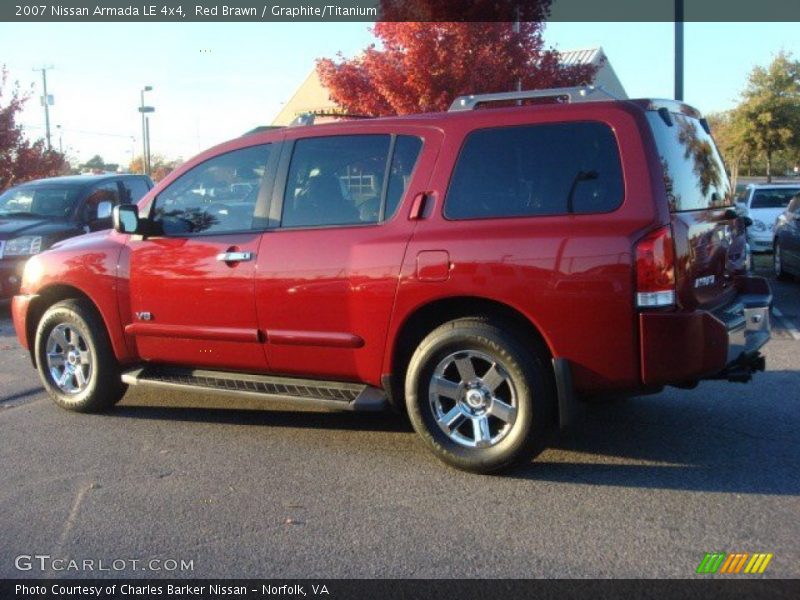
x: 100, y: 386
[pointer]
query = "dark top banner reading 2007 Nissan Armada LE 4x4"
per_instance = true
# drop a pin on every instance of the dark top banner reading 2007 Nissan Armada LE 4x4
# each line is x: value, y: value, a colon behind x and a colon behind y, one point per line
x: 395, y: 10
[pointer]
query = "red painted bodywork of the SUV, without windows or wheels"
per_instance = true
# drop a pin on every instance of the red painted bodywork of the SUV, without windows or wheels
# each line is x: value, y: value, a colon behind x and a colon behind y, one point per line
x: 330, y: 302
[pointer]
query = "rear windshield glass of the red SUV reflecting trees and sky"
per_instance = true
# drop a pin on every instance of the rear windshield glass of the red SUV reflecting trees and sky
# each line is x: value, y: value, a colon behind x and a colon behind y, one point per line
x: 693, y: 172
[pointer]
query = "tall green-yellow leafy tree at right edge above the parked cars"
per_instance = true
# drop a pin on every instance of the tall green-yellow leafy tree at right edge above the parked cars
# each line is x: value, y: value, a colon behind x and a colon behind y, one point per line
x: 768, y: 118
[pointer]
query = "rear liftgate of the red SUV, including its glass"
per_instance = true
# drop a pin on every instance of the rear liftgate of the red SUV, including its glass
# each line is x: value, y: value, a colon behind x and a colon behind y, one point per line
x: 709, y: 236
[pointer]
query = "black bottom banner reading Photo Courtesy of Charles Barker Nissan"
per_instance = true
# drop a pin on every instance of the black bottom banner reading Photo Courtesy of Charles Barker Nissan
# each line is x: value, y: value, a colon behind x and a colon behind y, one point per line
x: 405, y: 589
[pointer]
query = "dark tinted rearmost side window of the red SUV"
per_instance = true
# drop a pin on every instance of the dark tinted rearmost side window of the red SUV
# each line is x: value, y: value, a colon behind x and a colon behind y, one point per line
x: 536, y: 170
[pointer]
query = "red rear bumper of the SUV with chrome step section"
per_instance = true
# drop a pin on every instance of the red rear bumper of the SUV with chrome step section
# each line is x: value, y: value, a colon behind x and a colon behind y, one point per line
x: 684, y: 347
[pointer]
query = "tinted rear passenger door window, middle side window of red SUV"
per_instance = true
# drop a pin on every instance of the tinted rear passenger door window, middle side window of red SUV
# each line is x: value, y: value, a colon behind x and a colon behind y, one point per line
x: 342, y: 180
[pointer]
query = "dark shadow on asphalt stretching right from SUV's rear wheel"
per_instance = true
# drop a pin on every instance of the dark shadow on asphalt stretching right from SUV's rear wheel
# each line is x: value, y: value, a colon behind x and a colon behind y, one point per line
x: 744, y: 440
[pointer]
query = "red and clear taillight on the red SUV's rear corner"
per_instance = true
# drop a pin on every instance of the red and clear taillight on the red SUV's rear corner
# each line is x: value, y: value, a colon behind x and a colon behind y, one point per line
x: 655, y: 269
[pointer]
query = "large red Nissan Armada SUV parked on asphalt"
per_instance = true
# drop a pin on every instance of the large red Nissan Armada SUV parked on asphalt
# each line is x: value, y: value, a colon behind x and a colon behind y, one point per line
x: 478, y: 268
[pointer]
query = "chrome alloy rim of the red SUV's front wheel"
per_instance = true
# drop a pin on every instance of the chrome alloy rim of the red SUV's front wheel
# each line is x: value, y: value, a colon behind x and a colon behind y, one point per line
x: 69, y: 359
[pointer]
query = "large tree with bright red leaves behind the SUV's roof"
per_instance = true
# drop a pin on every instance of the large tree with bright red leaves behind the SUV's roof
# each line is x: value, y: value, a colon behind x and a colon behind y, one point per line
x: 424, y: 66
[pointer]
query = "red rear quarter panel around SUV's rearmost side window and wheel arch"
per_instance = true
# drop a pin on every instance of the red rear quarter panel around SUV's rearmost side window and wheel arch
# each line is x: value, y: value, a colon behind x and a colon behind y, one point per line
x: 571, y: 275
